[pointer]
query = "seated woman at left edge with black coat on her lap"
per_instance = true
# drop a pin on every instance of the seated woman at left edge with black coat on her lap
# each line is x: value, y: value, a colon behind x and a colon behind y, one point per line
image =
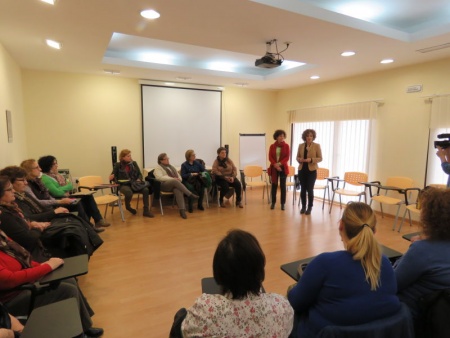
x: 67, y: 235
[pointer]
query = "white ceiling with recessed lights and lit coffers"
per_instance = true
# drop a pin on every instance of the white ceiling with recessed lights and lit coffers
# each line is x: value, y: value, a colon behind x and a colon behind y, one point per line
x: 216, y: 42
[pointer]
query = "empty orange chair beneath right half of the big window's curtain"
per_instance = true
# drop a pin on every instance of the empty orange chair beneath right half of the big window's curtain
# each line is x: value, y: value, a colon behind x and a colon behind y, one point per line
x: 351, y: 179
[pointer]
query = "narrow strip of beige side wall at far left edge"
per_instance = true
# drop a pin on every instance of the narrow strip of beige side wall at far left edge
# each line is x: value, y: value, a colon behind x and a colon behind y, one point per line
x: 11, y: 99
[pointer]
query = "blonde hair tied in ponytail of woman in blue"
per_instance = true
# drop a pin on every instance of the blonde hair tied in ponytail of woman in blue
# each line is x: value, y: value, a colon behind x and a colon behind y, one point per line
x: 359, y: 224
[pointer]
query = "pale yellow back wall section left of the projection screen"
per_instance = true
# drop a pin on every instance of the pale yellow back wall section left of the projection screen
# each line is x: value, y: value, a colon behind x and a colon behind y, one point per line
x: 77, y: 118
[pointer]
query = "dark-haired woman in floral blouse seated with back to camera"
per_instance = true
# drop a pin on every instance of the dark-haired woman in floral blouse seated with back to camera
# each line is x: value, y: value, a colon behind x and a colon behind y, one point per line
x: 242, y: 309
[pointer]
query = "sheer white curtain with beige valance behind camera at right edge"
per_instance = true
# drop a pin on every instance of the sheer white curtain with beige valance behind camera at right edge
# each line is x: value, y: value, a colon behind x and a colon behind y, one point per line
x: 439, y: 124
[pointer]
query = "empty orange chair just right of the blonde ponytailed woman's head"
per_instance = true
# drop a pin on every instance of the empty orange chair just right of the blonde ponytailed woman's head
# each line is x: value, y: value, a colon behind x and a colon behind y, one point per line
x: 395, y: 192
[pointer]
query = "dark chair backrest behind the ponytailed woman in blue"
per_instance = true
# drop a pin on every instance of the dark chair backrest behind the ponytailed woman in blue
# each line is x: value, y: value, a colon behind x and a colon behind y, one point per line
x: 396, y: 326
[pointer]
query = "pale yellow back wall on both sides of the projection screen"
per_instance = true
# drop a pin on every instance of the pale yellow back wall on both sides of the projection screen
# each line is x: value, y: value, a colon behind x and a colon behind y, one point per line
x: 77, y: 118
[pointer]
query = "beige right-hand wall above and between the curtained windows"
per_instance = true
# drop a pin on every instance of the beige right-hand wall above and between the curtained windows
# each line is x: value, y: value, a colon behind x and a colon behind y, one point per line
x: 402, y: 123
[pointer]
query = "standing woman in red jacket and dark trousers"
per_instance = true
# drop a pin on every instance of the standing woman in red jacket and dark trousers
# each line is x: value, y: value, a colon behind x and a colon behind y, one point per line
x: 279, y: 168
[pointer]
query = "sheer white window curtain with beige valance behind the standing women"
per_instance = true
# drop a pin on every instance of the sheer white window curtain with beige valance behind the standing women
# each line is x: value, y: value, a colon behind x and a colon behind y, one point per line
x: 344, y: 133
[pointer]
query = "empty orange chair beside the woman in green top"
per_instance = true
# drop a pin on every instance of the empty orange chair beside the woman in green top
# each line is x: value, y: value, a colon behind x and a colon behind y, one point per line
x: 95, y: 183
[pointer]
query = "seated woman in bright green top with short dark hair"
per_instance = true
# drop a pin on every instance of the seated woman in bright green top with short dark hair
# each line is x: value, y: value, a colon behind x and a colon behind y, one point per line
x: 59, y: 187
